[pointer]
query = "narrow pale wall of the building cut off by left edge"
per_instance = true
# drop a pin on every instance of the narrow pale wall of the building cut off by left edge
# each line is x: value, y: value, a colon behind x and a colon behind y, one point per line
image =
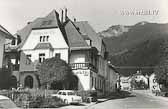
x: 2, y: 42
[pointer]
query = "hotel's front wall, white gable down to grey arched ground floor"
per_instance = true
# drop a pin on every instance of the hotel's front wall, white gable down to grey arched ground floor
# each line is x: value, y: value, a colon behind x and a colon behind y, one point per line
x: 58, y: 43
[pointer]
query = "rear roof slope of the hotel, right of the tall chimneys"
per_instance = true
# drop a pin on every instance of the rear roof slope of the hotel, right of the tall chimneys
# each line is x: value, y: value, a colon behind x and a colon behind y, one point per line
x: 85, y: 29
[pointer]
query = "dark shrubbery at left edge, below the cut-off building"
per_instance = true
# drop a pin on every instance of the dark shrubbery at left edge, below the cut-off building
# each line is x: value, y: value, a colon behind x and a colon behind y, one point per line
x: 5, y: 77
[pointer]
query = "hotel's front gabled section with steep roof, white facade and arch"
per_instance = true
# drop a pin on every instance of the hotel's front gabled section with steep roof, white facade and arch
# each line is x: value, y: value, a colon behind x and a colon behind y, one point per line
x: 45, y: 40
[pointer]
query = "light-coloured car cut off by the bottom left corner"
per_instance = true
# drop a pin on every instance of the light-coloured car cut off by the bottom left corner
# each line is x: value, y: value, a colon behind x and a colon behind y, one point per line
x: 7, y: 103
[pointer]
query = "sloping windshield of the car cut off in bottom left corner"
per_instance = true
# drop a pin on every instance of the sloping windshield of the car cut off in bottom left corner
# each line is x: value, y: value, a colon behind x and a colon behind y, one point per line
x: 6, y: 103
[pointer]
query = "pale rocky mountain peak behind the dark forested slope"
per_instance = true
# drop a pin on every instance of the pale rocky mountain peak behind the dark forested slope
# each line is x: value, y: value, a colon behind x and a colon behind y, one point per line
x: 114, y: 31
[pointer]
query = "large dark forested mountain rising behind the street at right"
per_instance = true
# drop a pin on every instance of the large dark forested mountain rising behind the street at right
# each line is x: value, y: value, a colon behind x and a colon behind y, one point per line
x: 143, y: 47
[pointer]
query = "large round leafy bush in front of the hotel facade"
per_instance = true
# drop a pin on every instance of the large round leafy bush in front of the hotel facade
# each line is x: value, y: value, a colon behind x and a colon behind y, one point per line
x: 55, y: 73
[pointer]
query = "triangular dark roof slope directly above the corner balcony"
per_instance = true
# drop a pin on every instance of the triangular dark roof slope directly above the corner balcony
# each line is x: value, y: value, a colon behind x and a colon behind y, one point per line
x: 75, y: 39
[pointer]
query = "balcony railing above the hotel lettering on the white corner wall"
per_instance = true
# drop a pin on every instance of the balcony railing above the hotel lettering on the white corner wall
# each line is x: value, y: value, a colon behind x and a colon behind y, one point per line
x: 83, y: 66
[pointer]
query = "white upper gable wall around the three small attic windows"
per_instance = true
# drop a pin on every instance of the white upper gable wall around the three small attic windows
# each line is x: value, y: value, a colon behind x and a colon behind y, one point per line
x: 55, y: 38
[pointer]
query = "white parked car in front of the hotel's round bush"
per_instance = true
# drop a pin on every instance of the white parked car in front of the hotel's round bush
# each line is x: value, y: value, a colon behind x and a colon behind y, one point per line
x: 68, y: 96
